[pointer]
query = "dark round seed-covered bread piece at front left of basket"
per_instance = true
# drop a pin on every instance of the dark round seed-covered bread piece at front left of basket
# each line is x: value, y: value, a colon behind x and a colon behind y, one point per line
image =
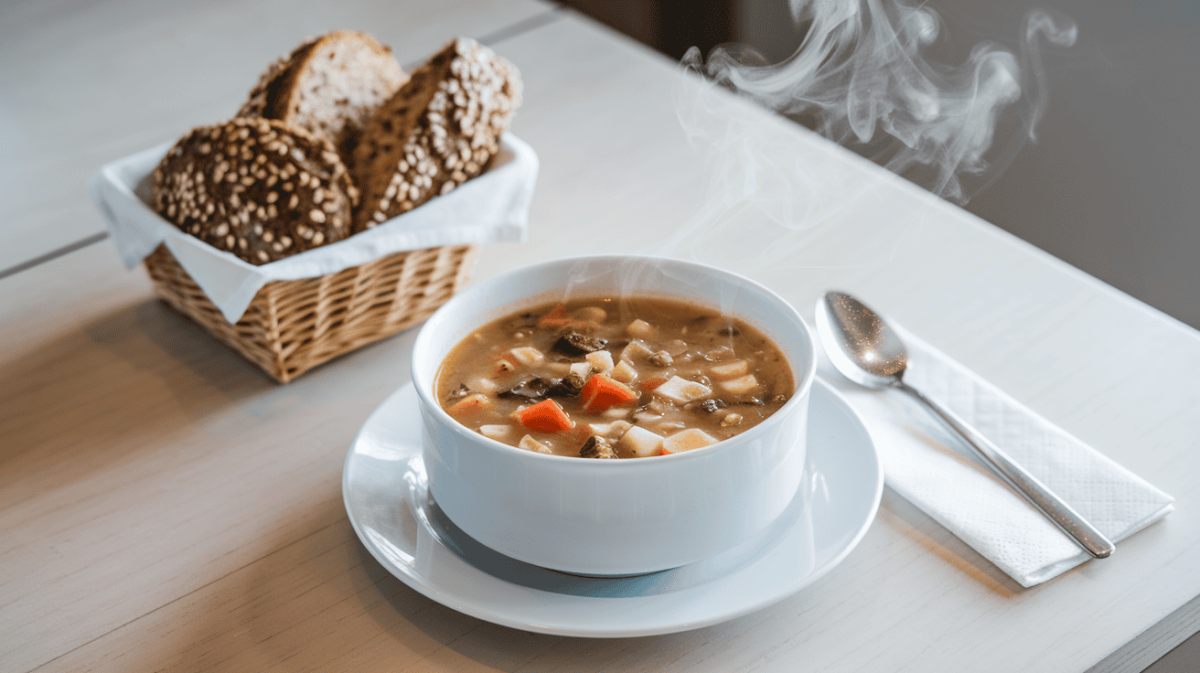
x: 257, y: 189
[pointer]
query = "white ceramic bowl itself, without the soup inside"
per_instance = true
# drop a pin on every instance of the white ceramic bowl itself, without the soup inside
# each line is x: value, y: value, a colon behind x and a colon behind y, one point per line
x: 615, y: 518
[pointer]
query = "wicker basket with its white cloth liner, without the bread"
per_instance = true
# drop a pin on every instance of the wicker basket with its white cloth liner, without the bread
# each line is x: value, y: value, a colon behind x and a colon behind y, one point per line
x: 395, y: 277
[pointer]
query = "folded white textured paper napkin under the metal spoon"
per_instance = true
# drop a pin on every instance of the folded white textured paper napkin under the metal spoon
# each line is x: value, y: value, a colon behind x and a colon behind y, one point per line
x: 933, y: 470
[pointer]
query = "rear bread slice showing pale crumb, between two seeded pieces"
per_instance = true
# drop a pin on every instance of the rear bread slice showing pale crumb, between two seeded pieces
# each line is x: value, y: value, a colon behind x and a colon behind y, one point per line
x: 329, y: 87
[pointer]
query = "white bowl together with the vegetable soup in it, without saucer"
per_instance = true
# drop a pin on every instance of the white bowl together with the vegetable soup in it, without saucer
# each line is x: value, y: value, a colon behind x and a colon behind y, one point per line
x: 615, y: 416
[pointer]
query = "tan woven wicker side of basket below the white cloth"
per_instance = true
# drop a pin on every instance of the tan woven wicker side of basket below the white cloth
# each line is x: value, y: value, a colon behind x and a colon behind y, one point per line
x: 292, y: 327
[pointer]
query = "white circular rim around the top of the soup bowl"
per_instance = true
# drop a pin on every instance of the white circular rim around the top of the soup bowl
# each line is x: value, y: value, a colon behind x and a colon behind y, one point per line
x: 803, y: 384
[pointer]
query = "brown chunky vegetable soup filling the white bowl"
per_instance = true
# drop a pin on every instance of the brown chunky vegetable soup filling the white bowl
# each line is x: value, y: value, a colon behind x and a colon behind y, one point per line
x: 607, y: 378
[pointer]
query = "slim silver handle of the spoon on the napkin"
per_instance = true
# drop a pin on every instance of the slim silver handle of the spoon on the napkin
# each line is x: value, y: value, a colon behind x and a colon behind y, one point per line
x: 1037, y: 494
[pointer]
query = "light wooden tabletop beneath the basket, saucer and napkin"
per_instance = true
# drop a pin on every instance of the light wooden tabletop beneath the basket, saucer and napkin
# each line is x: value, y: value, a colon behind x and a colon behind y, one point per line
x: 165, y: 507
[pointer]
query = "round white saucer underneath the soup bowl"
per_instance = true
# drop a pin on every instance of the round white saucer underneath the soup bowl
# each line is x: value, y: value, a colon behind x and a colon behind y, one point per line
x: 388, y: 502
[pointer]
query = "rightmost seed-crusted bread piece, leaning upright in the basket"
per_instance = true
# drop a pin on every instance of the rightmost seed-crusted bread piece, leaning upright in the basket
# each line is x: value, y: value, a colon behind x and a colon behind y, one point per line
x: 439, y: 131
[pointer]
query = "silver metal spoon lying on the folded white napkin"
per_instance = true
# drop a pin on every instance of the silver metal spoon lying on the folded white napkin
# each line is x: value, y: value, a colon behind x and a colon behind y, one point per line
x: 869, y: 353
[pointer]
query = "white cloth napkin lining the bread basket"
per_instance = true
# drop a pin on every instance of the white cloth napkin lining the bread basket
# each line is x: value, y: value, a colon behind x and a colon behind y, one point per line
x: 491, y: 208
